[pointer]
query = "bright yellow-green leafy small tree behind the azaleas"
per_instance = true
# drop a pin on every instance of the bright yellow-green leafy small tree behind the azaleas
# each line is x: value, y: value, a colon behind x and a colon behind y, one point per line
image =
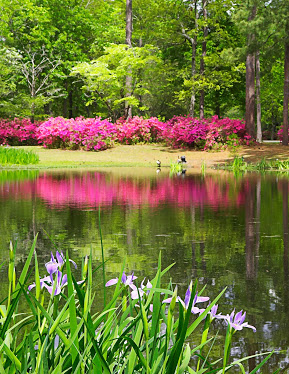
x: 105, y: 77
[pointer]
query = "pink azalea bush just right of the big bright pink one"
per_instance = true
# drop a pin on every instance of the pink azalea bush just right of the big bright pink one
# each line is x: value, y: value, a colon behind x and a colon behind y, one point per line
x: 138, y: 130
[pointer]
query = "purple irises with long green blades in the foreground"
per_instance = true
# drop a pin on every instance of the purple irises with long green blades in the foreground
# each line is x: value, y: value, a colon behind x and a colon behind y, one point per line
x: 144, y: 328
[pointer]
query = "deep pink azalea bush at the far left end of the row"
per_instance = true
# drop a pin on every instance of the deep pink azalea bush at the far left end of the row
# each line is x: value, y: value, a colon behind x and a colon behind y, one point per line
x: 18, y: 131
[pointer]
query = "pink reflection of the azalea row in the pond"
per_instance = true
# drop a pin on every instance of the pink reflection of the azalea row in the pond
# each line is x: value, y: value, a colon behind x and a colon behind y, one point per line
x: 92, y: 189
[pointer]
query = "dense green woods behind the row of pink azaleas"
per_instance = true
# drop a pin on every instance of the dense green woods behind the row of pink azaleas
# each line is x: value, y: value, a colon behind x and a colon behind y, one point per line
x: 120, y: 58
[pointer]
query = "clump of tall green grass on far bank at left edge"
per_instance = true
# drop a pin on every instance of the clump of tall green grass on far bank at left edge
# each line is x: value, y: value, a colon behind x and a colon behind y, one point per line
x: 16, y: 156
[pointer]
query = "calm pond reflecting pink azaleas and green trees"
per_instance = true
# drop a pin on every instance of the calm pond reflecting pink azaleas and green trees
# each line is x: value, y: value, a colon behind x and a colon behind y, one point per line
x: 226, y: 231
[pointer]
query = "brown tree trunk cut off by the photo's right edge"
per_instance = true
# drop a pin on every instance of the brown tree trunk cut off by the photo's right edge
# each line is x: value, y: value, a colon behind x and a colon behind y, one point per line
x: 286, y: 89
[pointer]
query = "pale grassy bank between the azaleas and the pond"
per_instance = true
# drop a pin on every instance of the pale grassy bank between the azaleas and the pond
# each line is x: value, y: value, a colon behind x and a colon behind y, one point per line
x: 146, y: 156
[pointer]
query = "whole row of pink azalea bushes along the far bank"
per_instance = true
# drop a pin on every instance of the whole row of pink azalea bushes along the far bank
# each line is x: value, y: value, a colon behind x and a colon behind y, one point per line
x: 96, y: 134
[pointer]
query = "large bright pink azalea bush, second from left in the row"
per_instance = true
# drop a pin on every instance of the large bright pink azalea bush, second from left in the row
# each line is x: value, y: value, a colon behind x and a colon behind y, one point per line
x: 79, y: 133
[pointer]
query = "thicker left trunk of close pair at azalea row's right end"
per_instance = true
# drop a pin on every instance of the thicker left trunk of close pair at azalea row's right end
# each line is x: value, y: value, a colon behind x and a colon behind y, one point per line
x: 250, y: 82
